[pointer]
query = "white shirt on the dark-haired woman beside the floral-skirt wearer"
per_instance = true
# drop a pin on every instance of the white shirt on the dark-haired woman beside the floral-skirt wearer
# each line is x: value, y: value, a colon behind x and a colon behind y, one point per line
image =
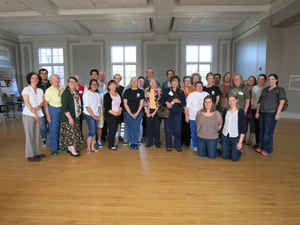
x: 92, y: 100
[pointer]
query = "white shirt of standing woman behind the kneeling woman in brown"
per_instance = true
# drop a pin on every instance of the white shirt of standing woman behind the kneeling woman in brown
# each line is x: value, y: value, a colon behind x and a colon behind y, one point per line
x: 194, y: 102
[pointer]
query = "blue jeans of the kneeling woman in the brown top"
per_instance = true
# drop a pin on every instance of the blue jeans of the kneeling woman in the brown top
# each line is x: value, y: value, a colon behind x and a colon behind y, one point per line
x: 208, y: 147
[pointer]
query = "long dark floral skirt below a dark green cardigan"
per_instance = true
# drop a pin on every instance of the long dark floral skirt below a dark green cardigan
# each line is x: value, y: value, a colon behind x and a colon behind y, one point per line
x: 70, y: 135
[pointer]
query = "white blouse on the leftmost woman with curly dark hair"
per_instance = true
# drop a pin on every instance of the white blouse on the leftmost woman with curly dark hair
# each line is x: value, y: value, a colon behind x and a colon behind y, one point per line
x: 34, y: 99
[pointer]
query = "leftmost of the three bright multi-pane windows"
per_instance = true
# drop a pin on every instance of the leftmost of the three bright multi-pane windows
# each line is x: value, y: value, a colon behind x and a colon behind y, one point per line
x: 52, y: 59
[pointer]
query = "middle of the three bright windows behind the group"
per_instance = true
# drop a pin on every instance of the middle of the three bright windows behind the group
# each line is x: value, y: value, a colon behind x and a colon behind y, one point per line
x: 123, y: 60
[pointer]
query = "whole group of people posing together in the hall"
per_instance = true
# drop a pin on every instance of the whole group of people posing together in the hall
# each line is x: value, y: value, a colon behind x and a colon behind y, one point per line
x: 197, y: 114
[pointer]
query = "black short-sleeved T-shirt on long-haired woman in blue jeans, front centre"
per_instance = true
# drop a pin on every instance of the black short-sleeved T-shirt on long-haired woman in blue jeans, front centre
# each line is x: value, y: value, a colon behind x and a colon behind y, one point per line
x: 133, y: 98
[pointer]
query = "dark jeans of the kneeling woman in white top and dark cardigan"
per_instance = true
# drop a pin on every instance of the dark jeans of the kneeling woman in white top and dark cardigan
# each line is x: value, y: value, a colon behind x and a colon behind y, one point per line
x: 228, y: 143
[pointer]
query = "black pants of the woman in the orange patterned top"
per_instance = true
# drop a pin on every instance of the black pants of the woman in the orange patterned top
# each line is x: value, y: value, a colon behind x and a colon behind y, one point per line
x: 153, y: 129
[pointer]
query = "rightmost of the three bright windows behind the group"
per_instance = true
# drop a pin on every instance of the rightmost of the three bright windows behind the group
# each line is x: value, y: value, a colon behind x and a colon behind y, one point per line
x: 198, y: 60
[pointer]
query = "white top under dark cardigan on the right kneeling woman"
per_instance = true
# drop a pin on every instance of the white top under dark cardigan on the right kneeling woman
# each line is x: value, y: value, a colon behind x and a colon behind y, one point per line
x: 231, y: 124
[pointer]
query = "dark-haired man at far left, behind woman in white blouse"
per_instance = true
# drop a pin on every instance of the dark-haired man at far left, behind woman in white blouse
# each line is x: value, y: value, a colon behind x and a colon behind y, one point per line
x: 44, y: 84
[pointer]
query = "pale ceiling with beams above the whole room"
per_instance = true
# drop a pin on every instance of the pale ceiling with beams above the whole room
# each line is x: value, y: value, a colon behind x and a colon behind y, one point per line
x: 103, y: 17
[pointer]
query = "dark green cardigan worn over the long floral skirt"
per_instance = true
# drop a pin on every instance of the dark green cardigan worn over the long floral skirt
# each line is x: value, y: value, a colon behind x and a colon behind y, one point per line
x: 68, y: 105
